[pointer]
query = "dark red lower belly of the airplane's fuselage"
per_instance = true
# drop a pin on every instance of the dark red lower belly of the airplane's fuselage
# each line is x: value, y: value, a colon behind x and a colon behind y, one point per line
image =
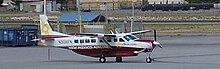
x: 114, y: 51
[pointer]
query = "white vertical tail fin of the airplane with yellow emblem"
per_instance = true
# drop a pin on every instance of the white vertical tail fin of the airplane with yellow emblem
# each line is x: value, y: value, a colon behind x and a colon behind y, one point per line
x: 46, y: 29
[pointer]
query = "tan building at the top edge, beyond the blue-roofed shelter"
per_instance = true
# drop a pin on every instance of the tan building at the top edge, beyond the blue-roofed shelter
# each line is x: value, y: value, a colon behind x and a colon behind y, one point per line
x: 112, y: 4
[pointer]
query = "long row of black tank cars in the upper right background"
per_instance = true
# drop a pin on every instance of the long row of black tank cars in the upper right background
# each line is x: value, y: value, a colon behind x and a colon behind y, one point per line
x: 176, y: 7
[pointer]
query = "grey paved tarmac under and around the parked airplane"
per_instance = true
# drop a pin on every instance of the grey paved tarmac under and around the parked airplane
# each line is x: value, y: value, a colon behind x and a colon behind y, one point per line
x: 178, y: 52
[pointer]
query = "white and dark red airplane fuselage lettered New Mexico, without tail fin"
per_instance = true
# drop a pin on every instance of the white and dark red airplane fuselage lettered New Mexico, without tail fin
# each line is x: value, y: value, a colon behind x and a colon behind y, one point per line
x: 122, y: 46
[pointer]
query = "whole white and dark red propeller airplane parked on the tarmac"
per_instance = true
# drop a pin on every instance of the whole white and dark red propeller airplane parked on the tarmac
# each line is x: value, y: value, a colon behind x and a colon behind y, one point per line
x: 97, y: 44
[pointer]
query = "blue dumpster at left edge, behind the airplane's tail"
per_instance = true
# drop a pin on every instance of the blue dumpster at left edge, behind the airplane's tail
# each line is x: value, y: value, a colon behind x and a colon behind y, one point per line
x: 18, y: 37
